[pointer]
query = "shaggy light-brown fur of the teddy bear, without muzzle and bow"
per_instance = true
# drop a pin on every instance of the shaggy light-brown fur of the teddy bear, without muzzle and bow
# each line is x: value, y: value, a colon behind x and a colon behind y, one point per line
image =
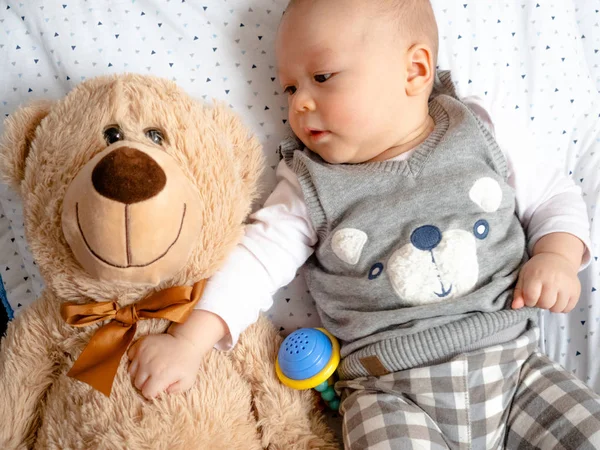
x: 237, y: 401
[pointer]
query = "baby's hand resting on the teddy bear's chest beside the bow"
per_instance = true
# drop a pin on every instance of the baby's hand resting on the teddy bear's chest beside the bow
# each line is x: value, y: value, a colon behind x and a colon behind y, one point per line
x: 164, y: 362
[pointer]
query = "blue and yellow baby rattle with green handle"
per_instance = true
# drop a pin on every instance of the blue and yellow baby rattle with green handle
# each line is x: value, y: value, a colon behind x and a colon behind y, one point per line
x: 307, y: 359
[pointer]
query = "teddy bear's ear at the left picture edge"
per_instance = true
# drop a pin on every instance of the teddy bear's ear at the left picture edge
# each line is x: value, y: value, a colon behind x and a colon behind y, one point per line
x: 19, y: 131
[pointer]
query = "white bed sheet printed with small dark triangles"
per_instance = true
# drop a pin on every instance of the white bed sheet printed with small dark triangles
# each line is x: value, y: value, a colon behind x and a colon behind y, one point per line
x: 533, y: 60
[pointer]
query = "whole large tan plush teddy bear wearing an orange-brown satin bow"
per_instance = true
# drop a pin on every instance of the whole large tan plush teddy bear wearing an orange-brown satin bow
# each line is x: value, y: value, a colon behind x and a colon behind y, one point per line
x: 133, y: 196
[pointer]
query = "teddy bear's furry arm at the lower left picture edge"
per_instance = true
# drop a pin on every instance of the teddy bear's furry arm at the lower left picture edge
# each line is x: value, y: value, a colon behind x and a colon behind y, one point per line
x: 28, y: 365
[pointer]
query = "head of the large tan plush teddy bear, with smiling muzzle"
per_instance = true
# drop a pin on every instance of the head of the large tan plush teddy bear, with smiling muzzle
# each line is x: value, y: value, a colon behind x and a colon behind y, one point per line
x: 129, y: 184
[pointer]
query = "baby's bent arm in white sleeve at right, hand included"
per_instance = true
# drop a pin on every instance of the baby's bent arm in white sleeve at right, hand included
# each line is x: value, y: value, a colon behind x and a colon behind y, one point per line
x: 553, y: 214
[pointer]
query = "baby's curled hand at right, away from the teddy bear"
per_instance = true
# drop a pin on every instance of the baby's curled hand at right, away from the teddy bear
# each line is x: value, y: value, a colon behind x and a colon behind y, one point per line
x: 548, y: 281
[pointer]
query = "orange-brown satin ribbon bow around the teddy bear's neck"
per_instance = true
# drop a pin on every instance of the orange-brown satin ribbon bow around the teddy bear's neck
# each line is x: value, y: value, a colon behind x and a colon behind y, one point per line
x: 98, y: 363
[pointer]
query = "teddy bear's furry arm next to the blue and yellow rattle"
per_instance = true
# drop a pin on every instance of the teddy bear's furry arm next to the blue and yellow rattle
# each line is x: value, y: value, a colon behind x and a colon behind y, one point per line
x: 287, y: 419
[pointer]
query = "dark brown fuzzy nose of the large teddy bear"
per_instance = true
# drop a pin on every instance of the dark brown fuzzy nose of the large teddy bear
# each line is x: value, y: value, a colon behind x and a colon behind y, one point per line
x: 128, y: 175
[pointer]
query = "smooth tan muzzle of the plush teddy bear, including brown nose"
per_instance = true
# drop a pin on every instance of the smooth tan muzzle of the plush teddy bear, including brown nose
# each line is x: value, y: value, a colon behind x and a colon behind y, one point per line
x: 131, y: 214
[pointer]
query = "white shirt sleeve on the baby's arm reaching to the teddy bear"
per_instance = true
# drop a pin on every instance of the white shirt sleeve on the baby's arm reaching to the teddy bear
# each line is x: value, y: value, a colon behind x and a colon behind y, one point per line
x: 277, y: 241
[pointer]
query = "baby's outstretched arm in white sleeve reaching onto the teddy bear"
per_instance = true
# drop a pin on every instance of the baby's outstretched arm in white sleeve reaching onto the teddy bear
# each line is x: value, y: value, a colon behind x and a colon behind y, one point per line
x: 275, y: 245
